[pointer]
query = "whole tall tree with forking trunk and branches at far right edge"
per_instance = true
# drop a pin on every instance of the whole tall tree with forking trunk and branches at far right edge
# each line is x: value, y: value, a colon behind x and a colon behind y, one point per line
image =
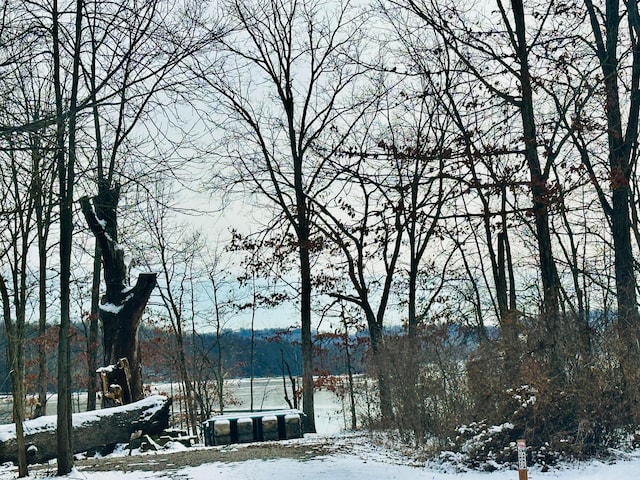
x: 615, y: 40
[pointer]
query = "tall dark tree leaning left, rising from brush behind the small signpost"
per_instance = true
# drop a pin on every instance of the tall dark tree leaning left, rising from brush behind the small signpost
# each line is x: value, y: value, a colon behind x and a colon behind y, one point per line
x: 485, y: 54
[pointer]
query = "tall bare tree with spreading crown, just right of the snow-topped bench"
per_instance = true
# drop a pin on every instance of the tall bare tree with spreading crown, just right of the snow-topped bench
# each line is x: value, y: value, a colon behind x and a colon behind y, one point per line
x: 283, y: 79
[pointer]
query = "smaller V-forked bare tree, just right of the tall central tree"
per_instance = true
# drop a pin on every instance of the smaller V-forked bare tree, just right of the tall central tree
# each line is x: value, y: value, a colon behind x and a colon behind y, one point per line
x: 375, y: 237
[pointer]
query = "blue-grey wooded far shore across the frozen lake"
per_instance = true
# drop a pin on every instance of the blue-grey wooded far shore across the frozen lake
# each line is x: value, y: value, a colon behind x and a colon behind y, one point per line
x: 273, y: 350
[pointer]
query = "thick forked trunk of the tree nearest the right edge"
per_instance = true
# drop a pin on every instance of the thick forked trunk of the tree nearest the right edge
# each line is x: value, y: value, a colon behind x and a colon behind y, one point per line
x: 622, y: 162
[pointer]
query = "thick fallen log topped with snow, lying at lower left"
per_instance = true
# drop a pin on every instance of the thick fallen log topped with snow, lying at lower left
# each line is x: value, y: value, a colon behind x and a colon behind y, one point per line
x: 91, y: 430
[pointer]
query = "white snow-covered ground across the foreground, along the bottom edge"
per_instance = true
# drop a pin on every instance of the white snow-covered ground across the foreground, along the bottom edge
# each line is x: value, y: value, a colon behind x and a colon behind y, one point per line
x: 359, y: 465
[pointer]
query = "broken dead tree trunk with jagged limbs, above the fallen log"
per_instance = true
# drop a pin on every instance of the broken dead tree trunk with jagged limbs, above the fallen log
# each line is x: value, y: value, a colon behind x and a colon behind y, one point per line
x: 122, y: 305
